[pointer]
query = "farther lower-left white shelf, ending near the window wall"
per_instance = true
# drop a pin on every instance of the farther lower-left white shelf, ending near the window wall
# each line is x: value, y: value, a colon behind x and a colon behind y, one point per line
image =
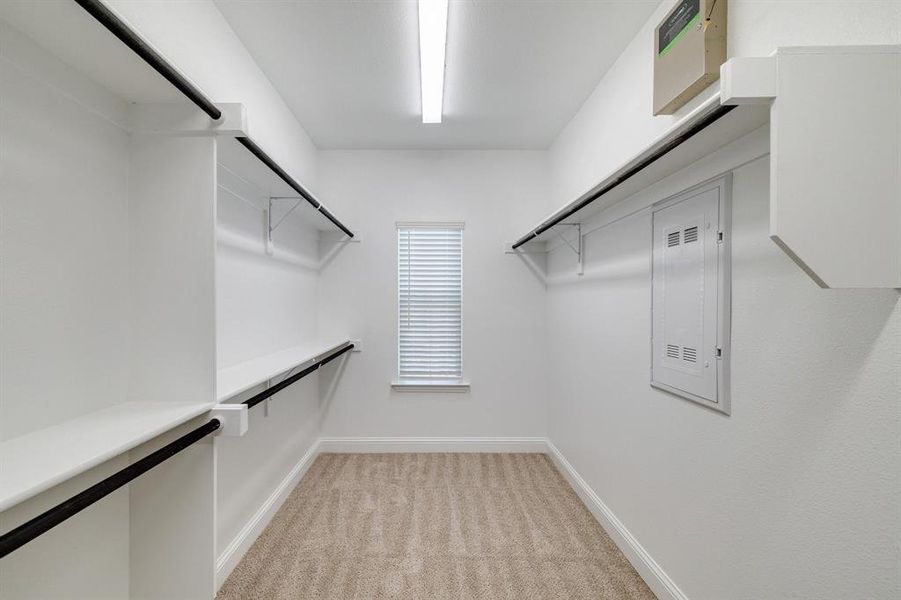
x: 243, y: 376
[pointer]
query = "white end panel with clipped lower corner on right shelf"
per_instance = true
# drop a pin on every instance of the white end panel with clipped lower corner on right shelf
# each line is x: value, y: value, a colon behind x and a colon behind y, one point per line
x: 835, y: 157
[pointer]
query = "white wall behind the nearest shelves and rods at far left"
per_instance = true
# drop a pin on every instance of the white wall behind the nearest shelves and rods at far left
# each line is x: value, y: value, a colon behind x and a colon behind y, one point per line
x: 64, y: 306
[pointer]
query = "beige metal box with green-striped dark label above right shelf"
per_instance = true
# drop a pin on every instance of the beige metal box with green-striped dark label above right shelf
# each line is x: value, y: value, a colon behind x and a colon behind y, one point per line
x: 689, y: 47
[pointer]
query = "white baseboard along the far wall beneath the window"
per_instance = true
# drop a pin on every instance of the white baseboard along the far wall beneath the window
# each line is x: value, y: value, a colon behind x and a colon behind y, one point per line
x: 373, y: 445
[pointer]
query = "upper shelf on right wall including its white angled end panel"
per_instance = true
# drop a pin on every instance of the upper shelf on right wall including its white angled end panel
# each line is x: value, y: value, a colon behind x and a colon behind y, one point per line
x: 835, y: 157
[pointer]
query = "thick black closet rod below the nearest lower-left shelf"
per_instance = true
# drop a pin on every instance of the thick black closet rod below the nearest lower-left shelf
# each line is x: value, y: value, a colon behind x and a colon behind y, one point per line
x: 46, y: 521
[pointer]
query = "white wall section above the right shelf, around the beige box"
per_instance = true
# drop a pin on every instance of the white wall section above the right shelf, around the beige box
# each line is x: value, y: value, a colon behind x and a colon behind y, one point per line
x: 616, y: 121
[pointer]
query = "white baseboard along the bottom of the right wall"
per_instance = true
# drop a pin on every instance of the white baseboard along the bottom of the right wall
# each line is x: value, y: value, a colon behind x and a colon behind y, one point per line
x: 656, y: 578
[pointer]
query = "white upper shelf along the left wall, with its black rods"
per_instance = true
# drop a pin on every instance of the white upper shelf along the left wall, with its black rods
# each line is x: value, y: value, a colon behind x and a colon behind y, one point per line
x: 94, y: 40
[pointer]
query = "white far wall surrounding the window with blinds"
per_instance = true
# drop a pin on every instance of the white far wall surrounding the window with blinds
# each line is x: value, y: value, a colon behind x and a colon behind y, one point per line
x: 503, y: 301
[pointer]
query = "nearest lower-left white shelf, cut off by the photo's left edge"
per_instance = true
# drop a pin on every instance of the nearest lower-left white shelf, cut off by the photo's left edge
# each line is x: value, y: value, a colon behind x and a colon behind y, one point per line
x: 37, y: 461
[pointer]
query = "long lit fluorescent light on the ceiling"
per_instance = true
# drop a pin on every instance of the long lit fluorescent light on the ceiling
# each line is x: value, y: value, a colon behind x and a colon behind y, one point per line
x: 432, y: 47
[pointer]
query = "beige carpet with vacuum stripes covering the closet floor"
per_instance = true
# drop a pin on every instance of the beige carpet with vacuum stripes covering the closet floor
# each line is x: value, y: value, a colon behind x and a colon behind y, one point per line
x: 433, y: 526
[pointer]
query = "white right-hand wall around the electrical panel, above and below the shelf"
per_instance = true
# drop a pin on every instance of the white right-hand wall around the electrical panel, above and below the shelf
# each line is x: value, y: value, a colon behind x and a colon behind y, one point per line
x: 794, y: 495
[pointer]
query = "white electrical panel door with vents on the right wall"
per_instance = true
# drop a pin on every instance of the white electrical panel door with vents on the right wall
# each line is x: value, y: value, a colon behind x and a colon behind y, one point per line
x: 690, y: 289
